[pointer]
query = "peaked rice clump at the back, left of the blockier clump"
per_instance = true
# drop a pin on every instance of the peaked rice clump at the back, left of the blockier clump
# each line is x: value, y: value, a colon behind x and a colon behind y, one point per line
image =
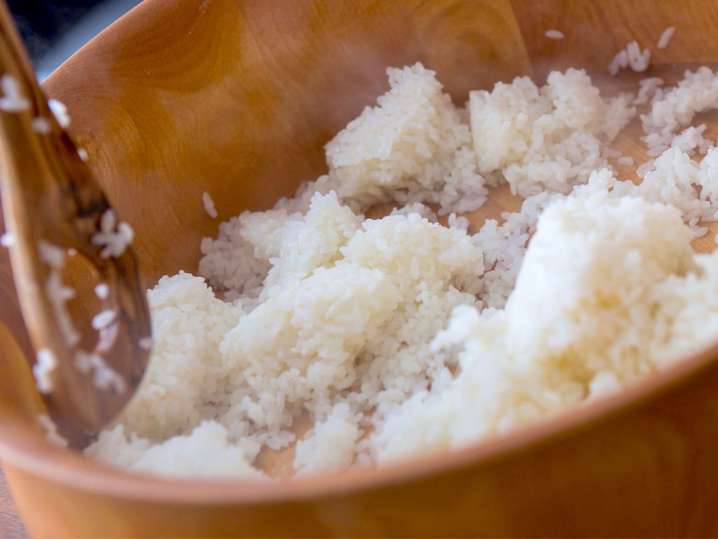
x: 425, y: 157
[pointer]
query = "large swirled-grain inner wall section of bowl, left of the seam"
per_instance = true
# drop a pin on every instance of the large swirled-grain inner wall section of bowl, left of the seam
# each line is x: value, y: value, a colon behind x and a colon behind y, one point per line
x: 183, y: 103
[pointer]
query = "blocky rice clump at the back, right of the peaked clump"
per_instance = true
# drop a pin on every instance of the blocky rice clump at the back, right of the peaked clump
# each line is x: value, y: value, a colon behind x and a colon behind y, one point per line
x: 547, y: 138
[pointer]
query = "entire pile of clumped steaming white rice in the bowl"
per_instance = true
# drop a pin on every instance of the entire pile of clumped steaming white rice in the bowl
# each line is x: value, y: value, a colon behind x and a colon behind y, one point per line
x: 399, y: 334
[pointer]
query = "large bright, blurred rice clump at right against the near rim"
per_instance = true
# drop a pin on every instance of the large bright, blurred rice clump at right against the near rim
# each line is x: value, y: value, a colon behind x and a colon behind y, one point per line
x: 579, y: 312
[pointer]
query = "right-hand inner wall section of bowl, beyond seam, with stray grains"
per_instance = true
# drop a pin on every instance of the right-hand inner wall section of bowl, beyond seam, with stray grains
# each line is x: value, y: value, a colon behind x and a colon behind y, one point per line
x: 596, y: 30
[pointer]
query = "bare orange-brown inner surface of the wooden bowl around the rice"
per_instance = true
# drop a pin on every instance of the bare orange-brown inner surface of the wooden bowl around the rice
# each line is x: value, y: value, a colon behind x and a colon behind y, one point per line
x: 237, y: 99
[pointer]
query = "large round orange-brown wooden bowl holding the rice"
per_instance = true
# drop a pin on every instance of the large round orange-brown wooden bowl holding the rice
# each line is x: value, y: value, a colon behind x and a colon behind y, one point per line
x: 237, y: 98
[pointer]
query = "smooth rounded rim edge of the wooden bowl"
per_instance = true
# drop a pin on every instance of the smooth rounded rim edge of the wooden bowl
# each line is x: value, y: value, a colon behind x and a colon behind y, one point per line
x: 22, y: 446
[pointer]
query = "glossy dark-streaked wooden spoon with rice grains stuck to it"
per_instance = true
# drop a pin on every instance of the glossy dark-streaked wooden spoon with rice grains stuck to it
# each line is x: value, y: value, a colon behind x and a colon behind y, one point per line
x: 58, y: 217
